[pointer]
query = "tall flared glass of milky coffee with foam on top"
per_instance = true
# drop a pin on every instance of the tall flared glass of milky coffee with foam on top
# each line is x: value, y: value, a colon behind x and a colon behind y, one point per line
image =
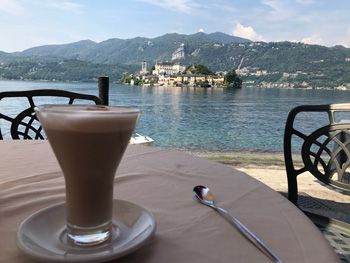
x: 89, y: 142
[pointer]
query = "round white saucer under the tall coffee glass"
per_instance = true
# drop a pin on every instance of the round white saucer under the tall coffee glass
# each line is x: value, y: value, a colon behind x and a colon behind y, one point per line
x: 43, y: 235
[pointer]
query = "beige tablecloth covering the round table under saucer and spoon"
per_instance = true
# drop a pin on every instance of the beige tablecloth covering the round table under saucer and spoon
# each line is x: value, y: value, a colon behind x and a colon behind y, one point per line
x: 162, y: 180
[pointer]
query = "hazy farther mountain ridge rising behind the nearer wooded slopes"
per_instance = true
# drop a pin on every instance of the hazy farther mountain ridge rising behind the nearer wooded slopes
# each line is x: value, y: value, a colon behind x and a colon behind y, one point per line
x: 130, y: 51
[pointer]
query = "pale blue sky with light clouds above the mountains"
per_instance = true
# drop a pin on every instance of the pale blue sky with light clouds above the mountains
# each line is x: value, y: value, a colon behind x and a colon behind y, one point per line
x: 29, y: 23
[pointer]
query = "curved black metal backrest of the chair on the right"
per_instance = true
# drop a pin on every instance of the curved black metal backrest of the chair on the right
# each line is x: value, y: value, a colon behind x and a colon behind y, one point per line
x: 324, y: 149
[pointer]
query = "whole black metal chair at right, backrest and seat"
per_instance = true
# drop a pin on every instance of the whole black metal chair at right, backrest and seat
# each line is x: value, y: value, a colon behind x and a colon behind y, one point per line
x: 323, y: 151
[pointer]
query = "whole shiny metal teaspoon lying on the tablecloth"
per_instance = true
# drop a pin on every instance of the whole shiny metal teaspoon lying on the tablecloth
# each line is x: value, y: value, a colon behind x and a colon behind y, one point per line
x: 205, y: 196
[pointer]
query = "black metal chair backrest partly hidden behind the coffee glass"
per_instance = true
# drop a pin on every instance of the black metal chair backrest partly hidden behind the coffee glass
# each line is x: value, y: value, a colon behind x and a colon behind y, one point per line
x: 25, y: 124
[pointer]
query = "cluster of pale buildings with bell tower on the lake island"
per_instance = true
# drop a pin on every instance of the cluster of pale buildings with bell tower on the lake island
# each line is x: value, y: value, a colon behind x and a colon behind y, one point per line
x: 168, y: 73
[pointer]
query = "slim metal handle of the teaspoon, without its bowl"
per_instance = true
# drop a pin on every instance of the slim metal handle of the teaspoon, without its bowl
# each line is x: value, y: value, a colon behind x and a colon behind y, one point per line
x: 256, y: 241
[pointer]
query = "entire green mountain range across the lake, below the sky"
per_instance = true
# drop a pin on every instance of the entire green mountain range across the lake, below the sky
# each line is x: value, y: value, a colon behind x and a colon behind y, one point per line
x: 259, y: 63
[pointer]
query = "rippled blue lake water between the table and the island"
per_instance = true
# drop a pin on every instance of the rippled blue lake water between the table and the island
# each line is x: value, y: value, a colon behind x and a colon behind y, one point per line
x: 187, y: 118
